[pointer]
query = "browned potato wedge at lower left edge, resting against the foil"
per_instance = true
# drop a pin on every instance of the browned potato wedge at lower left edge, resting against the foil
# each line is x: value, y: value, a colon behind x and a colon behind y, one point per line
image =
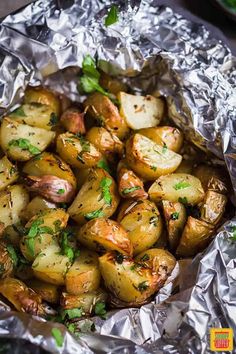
x: 23, y: 298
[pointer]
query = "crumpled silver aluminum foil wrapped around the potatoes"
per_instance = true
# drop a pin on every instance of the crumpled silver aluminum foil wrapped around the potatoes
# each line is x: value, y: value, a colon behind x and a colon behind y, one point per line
x: 156, y: 51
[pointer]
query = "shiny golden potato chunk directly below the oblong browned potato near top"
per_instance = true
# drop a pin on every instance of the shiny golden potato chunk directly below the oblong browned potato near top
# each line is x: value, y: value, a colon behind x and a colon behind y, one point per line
x: 106, y: 142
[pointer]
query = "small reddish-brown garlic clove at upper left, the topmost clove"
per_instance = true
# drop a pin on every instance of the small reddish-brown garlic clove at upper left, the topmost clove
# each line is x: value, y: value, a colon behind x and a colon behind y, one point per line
x: 73, y: 121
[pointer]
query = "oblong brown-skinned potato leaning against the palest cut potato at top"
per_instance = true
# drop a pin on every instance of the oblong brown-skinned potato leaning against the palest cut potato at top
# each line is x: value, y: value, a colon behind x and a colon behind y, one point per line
x: 106, y: 113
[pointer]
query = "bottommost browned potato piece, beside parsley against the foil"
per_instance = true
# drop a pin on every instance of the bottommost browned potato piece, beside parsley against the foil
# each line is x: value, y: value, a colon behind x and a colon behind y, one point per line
x: 85, y: 301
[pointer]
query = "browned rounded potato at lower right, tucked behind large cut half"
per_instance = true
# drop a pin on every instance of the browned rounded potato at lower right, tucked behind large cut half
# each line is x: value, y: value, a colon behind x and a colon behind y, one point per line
x: 159, y: 260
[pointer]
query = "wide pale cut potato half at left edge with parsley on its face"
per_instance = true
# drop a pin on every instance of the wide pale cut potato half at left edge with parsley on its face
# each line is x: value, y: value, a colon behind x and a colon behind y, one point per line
x: 21, y: 142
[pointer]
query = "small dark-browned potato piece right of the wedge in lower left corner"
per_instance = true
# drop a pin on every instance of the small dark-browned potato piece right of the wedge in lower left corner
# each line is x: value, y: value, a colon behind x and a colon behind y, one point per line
x: 48, y: 292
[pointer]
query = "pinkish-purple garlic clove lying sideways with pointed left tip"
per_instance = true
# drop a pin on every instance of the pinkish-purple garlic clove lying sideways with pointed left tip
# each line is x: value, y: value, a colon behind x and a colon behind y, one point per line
x: 49, y: 186
